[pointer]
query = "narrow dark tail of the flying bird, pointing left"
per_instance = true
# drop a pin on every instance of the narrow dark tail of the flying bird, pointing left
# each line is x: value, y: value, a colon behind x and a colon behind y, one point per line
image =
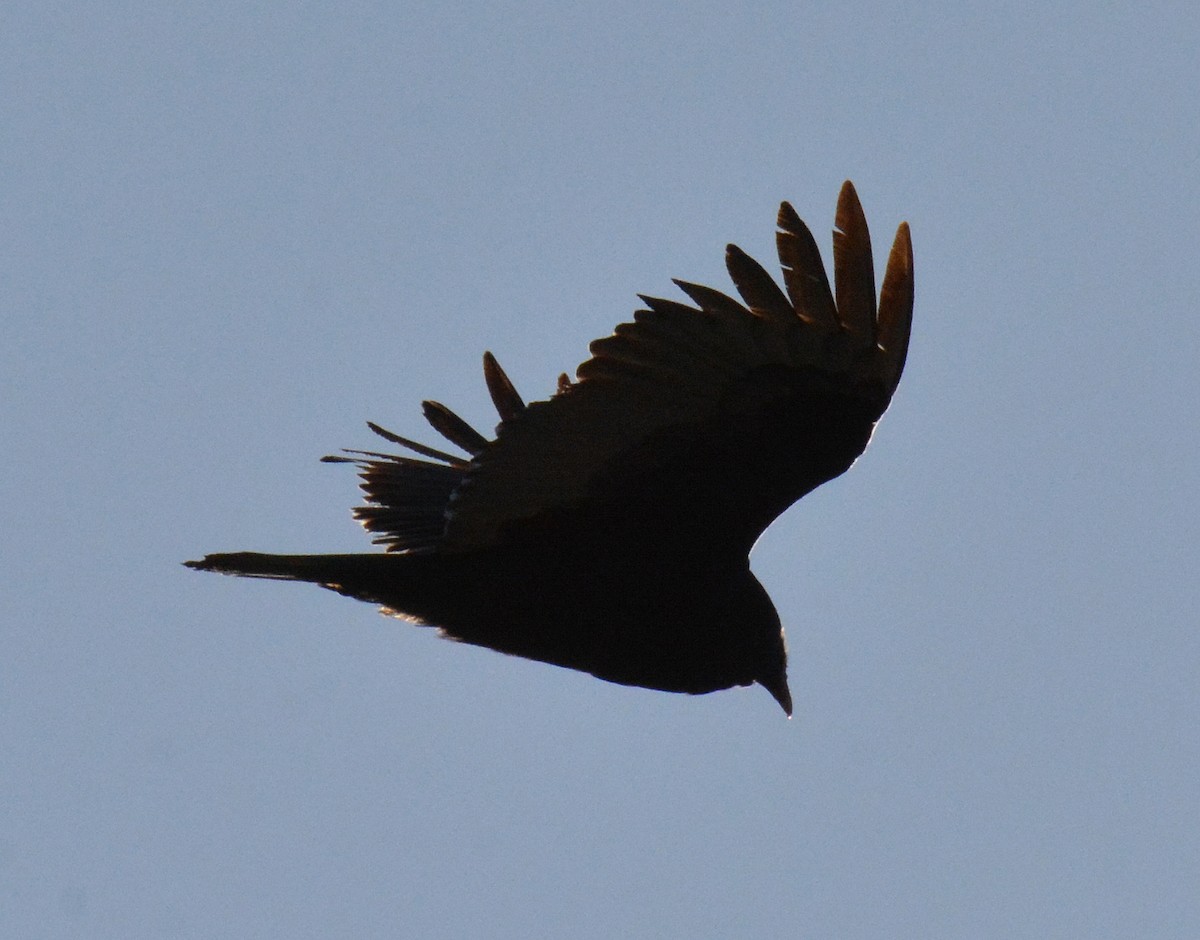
x: 374, y: 578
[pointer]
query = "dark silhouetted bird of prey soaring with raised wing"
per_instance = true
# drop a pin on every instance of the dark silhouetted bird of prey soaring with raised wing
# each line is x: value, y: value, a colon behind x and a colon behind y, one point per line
x: 609, y: 528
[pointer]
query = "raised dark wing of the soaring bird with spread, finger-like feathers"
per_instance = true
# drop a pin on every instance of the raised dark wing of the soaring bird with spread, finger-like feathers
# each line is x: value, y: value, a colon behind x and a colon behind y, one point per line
x: 691, y: 426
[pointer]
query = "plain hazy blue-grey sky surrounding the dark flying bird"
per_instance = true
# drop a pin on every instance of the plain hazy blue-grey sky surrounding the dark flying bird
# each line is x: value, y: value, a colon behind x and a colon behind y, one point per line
x: 233, y: 233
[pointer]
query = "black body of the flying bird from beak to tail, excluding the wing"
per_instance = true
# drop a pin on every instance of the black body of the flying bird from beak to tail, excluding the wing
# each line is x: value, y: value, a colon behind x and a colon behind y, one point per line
x: 676, y: 625
